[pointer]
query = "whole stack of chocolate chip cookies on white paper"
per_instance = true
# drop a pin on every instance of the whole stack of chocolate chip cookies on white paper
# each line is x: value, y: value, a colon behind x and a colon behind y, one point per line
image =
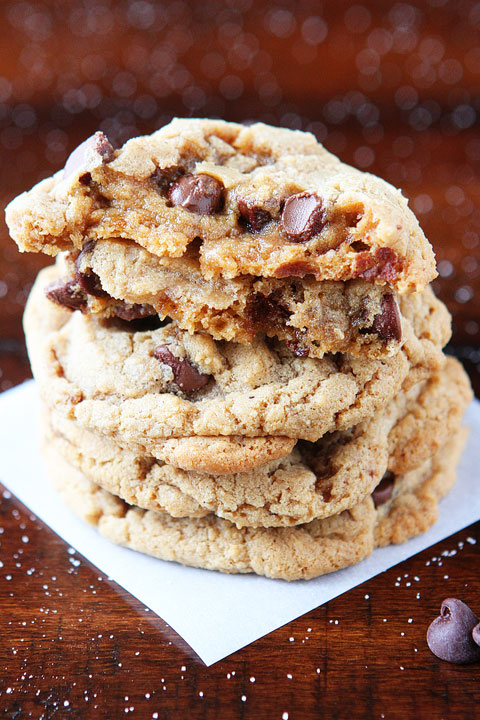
x: 239, y: 357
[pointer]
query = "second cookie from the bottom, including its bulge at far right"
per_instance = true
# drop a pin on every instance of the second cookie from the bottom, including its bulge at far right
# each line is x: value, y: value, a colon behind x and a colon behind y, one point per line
x: 315, y: 481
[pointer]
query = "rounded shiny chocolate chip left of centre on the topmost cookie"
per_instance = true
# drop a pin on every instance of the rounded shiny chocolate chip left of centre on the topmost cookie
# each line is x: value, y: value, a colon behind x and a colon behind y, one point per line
x: 201, y: 194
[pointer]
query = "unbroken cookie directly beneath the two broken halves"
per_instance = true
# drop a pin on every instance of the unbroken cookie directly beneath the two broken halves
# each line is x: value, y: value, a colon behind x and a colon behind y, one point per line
x: 144, y: 385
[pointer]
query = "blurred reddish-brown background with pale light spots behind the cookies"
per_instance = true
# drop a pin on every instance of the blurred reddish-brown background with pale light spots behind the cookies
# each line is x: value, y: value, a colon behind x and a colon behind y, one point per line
x: 391, y: 87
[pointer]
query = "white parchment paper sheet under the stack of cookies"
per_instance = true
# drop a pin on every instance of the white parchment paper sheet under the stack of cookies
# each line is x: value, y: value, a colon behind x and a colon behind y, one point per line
x: 216, y: 614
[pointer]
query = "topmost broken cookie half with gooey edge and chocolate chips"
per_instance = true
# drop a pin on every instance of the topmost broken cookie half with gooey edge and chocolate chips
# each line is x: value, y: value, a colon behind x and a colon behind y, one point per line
x: 264, y: 201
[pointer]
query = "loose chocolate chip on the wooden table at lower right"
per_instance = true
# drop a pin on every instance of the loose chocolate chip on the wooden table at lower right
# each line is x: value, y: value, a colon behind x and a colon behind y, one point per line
x: 449, y: 636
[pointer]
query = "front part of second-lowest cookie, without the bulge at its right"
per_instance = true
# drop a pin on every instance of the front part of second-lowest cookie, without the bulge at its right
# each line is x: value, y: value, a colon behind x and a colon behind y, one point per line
x: 313, y: 481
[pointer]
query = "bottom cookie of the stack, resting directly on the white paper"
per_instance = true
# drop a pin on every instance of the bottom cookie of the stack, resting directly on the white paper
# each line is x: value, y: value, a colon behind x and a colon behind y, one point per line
x: 301, y: 552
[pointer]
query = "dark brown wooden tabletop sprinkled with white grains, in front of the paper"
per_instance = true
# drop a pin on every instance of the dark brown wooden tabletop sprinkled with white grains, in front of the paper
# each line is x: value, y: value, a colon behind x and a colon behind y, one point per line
x: 71, y: 636
